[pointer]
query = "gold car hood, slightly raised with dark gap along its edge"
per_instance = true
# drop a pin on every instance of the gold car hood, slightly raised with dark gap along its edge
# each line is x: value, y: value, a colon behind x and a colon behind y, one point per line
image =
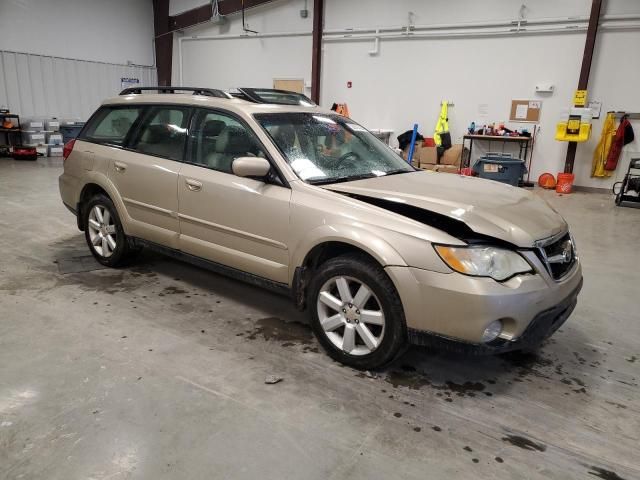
x: 487, y: 207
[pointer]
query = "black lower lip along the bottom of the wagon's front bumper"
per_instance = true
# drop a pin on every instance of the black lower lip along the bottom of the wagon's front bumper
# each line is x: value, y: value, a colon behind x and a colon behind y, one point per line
x: 541, y: 327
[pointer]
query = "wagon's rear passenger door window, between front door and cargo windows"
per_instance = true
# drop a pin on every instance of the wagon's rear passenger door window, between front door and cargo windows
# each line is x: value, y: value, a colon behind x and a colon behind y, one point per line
x: 163, y: 132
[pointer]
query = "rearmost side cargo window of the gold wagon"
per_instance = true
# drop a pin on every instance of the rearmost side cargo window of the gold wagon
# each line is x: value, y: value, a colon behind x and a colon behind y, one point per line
x: 110, y: 125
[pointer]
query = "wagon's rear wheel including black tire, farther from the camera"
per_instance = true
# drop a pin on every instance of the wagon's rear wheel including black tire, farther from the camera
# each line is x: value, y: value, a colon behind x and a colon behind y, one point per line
x: 104, y: 233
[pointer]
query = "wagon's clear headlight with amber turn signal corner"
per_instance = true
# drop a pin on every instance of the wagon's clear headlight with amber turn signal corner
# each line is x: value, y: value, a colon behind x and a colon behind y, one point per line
x: 481, y: 261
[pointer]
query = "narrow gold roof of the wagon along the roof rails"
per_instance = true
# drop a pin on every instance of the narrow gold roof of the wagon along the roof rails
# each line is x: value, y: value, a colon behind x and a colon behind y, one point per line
x: 233, y: 104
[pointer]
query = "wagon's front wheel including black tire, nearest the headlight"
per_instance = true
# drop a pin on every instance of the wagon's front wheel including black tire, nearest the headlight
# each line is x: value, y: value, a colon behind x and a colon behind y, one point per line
x: 356, y: 312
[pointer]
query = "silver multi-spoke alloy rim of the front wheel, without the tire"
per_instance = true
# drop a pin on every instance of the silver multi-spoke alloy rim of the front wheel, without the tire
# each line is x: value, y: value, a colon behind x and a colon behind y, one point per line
x: 350, y: 315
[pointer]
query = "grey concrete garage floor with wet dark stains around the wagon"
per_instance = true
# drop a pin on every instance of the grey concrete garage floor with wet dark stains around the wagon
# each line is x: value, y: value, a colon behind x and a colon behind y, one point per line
x: 157, y: 371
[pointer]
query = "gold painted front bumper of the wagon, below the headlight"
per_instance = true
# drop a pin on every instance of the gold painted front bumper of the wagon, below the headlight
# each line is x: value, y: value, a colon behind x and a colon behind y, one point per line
x: 459, y: 308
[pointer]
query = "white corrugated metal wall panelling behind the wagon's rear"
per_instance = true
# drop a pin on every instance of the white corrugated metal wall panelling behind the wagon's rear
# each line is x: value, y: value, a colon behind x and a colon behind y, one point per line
x: 42, y: 86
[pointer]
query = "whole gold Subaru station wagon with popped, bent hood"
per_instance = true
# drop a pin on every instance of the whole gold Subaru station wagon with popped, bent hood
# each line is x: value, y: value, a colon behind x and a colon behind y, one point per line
x: 265, y: 186
